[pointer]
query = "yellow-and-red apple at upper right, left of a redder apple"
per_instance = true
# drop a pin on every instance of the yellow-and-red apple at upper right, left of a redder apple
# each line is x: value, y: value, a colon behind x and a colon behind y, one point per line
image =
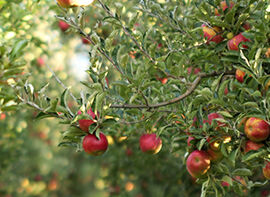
x: 211, y: 34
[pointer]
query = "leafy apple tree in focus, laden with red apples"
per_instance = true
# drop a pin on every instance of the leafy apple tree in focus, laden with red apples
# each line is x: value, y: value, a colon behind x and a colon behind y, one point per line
x: 187, y: 81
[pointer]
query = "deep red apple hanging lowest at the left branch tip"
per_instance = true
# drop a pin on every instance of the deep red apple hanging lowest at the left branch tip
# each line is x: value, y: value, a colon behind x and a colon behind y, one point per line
x: 94, y: 146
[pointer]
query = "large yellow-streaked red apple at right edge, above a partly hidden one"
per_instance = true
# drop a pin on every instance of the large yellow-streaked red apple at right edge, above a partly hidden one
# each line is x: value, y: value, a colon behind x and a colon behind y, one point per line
x: 257, y: 129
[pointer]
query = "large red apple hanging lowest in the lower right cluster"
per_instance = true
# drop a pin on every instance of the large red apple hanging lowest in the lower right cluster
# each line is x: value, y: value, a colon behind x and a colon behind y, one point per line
x: 198, y: 163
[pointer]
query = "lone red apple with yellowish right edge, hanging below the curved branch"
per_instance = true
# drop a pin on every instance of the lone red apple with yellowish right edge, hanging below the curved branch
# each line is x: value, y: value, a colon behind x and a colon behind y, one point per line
x: 150, y: 143
